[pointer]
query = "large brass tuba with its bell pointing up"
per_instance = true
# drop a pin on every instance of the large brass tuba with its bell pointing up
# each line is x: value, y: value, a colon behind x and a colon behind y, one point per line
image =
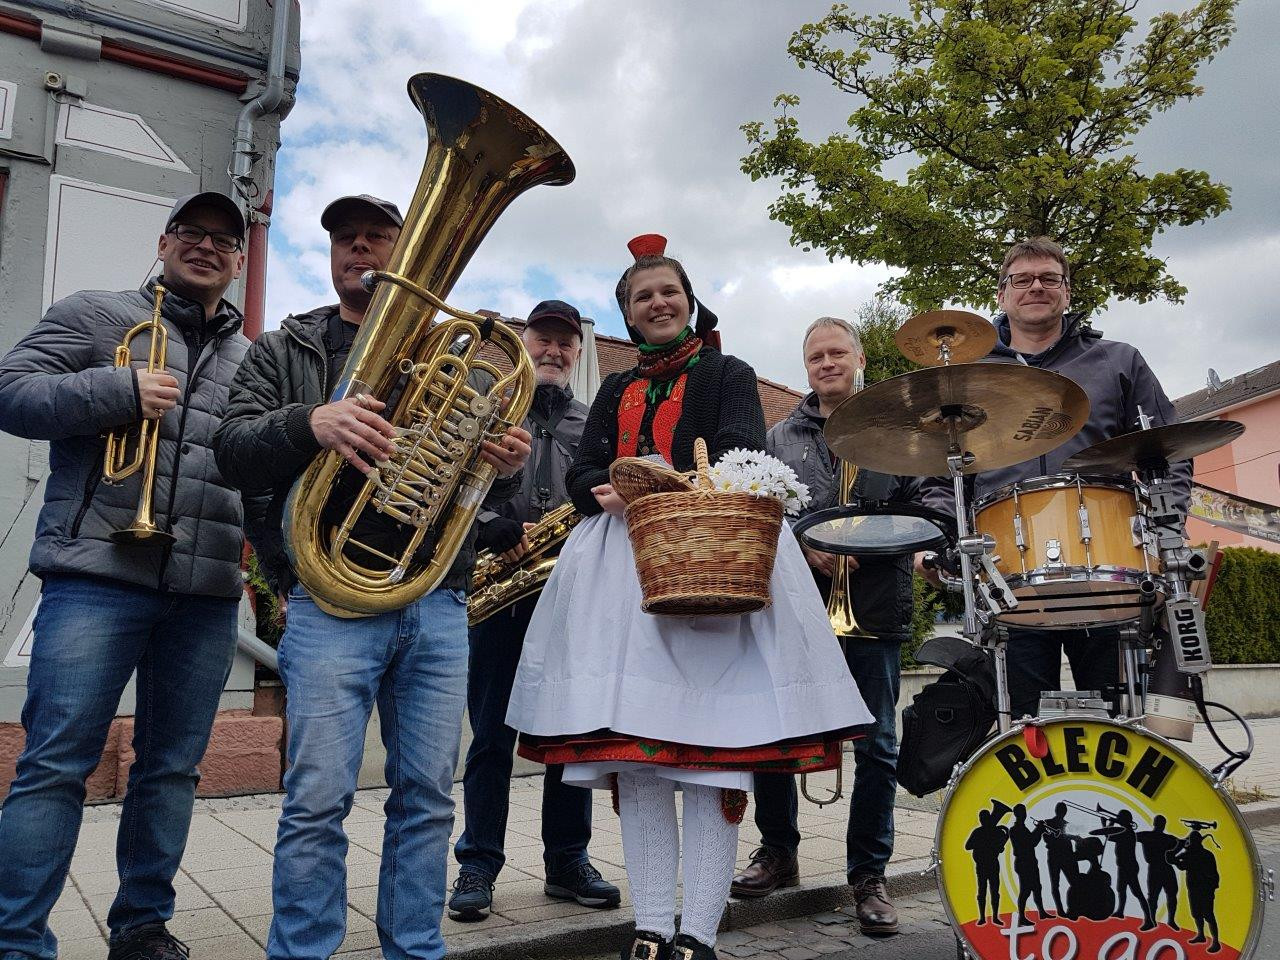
x: 482, y: 156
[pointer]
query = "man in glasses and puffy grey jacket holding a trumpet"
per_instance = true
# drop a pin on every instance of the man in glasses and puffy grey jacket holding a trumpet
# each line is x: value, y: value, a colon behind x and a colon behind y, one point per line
x: 109, y: 610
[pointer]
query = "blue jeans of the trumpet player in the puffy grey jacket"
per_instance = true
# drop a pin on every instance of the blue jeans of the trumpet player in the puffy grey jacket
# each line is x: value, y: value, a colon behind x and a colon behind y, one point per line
x: 92, y: 636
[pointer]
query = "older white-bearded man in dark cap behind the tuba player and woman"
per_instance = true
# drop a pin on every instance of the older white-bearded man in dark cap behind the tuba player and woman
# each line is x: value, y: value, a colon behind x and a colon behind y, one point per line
x: 554, y: 337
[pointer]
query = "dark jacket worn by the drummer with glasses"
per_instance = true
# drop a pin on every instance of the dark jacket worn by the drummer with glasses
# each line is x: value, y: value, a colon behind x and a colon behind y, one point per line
x: 1117, y: 381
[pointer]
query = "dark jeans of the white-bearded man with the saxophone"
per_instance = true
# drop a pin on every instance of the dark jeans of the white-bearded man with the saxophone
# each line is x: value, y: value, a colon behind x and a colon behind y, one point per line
x: 496, y: 646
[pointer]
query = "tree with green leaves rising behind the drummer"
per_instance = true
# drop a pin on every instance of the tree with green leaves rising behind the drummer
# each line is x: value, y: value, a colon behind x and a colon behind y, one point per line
x: 1014, y: 120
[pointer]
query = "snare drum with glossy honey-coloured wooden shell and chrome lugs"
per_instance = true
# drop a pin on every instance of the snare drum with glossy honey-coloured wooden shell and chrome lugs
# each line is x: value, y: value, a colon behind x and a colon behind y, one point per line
x: 1068, y: 548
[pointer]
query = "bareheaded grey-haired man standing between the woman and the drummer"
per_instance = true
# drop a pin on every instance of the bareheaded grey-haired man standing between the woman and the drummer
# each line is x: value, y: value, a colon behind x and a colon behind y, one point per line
x: 881, y: 595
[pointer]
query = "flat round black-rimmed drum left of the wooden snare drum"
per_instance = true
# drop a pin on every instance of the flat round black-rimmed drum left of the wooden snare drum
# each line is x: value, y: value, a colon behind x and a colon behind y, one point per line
x: 874, y: 532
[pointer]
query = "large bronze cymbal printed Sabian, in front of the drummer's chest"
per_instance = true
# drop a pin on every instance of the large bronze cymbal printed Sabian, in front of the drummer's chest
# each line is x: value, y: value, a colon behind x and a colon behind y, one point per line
x: 1002, y: 413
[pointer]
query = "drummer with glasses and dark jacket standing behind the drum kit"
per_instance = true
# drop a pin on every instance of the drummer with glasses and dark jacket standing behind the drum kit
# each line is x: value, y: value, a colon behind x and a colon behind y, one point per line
x: 1035, y: 328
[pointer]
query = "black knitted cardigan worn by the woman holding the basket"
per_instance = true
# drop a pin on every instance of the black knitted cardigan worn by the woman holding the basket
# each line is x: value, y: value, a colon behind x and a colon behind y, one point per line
x: 723, y: 405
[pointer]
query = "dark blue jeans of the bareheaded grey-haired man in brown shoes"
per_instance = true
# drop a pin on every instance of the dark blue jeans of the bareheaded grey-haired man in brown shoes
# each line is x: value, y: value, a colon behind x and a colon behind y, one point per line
x: 870, y: 839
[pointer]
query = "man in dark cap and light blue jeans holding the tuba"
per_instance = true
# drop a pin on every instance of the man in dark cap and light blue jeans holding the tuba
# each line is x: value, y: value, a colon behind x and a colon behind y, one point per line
x: 413, y: 661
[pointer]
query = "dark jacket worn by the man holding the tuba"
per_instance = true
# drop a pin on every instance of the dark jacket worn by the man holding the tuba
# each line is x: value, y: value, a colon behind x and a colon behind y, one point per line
x: 266, y: 441
